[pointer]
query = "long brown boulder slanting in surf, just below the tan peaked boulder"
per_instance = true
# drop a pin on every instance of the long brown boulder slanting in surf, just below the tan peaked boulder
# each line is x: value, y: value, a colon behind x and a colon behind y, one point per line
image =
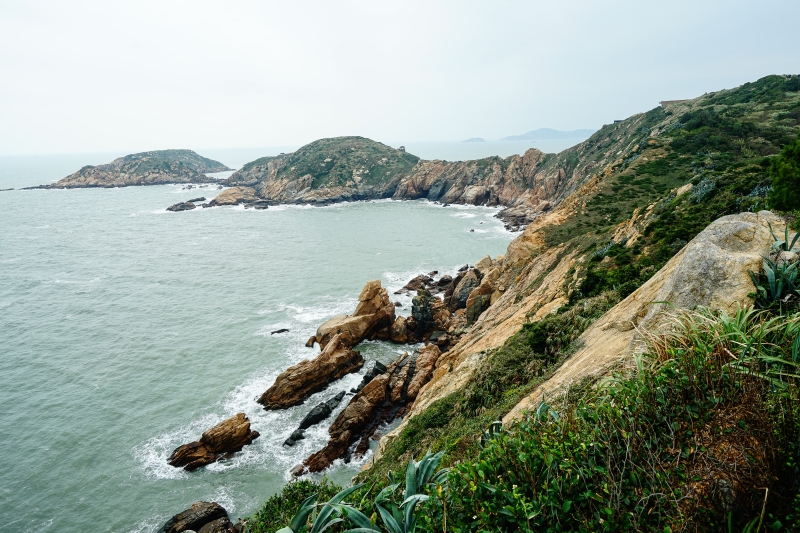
x: 302, y: 380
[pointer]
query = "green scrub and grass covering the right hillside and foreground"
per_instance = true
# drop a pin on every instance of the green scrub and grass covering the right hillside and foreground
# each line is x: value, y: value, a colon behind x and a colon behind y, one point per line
x: 710, y: 417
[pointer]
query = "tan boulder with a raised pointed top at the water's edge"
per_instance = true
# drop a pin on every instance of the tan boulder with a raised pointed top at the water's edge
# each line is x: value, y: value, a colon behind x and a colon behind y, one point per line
x: 372, y: 319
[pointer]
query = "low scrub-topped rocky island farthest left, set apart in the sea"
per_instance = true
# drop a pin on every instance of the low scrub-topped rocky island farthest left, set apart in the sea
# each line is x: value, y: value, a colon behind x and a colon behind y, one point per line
x: 146, y: 168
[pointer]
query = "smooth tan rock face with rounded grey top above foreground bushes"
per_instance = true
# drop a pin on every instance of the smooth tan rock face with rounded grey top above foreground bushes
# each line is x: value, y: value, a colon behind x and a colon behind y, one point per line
x: 710, y: 271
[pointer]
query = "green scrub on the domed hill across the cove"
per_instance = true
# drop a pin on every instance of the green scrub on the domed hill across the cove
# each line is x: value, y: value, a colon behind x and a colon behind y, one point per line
x: 344, y: 161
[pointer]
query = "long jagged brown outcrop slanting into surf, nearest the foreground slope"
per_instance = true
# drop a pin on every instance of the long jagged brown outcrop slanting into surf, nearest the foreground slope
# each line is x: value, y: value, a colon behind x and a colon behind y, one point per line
x: 383, y: 399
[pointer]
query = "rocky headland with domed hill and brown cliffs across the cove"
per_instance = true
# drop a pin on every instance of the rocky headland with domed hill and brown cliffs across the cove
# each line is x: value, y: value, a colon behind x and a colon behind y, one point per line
x: 355, y: 168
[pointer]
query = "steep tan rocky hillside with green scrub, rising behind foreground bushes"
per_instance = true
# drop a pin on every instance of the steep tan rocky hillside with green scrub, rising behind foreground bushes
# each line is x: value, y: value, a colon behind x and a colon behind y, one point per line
x: 637, y: 193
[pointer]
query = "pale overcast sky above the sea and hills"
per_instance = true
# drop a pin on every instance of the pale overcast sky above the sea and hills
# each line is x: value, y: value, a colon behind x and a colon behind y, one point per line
x: 86, y: 76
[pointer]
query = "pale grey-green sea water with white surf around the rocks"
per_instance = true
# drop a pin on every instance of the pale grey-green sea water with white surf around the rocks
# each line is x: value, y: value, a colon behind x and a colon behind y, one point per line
x: 126, y: 331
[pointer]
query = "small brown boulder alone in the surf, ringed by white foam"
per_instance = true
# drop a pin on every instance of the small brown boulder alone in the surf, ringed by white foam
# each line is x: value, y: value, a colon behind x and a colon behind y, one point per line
x: 227, y: 437
